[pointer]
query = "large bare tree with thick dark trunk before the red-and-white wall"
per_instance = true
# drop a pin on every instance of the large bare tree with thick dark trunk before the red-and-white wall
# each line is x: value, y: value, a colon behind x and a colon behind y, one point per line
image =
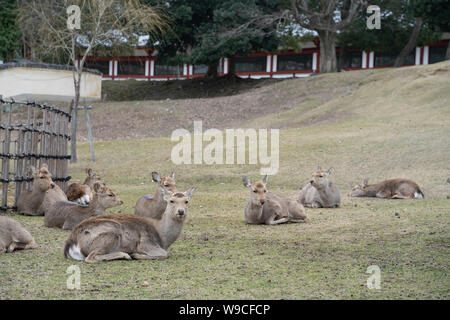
x: 327, y: 18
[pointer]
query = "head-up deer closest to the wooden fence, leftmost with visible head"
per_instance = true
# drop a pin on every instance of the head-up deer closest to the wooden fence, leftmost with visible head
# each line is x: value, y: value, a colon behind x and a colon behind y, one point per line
x: 29, y: 202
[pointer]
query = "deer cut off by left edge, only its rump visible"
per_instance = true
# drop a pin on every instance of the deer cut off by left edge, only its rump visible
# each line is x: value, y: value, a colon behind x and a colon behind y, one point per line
x: 13, y: 236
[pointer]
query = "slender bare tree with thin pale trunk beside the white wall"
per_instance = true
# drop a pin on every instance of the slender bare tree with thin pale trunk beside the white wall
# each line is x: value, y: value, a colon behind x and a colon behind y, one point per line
x: 103, y: 23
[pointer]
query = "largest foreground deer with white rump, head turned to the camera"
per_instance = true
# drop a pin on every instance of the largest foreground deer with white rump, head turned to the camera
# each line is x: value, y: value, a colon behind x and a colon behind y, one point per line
x: 128, y: 236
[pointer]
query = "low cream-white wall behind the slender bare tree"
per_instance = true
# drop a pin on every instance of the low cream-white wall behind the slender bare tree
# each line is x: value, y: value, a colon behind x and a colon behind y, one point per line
x: 42, y: 84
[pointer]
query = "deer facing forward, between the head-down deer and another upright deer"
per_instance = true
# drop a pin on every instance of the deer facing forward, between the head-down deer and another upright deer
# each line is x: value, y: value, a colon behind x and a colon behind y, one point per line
x: 319, y: 192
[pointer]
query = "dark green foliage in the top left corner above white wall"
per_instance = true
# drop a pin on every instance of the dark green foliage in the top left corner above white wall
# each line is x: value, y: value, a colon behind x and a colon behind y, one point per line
x: 9, y: 32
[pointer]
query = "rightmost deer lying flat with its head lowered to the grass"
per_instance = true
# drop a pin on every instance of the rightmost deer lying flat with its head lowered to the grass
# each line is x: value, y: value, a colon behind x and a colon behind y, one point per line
x: 391, y: 189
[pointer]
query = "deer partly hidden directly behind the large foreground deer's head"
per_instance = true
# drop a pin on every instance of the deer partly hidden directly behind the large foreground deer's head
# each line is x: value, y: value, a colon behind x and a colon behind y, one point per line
x: 154, y: 206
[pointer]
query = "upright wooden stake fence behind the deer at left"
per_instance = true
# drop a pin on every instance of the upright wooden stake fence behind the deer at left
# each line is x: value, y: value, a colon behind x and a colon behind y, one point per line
x: 31, y: 135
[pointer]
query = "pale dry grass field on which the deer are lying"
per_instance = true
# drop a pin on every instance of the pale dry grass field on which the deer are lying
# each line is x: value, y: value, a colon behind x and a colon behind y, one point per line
x: 385, y: 124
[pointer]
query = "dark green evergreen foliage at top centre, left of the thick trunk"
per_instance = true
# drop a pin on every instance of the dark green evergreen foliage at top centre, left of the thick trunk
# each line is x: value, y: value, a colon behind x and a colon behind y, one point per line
x: 203, y: 31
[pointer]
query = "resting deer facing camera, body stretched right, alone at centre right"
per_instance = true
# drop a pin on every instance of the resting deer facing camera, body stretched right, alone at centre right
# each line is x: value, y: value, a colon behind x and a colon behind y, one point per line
x: 264, y: 207
